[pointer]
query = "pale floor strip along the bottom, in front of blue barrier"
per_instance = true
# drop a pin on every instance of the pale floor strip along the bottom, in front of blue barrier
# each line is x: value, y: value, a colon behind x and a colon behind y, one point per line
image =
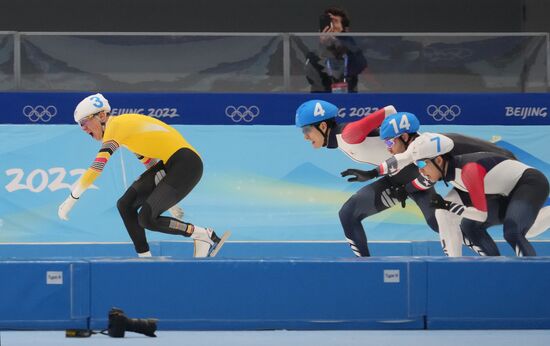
x: 291, y: 338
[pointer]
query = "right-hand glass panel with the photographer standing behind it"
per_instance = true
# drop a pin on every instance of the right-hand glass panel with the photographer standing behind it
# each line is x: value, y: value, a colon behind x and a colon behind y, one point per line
x: 421, y: 63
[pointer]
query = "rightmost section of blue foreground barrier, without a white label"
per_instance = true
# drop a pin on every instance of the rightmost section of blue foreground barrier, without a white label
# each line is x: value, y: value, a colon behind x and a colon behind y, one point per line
x: 488, y: 293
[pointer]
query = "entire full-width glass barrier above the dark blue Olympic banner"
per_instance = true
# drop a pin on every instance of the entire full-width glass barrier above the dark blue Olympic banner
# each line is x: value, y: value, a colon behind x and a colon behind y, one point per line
x: 295, y: 62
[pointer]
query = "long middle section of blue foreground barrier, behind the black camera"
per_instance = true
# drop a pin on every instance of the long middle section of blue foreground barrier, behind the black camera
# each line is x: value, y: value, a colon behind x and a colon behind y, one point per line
x: 262, y: 294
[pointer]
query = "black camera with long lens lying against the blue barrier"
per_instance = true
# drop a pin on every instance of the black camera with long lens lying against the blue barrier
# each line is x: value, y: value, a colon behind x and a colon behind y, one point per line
x: 119, y: 324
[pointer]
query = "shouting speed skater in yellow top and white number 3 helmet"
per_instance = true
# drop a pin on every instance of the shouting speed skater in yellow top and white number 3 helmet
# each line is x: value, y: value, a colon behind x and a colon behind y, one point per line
x: 173, y: 169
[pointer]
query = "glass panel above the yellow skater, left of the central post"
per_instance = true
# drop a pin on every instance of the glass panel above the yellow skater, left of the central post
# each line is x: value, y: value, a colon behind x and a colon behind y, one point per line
x: 151, y: 63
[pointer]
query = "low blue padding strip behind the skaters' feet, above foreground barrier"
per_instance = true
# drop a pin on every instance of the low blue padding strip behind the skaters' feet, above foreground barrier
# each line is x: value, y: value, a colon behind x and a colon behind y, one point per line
x: 298, y: 249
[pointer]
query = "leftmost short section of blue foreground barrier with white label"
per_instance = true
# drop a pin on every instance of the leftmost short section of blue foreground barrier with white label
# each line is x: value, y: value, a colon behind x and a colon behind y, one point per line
x: 44, y: 294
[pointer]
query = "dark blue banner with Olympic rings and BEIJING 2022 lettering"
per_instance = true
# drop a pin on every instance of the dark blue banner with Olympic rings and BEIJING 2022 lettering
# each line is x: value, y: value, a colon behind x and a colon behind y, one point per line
x: 279, y: 109
